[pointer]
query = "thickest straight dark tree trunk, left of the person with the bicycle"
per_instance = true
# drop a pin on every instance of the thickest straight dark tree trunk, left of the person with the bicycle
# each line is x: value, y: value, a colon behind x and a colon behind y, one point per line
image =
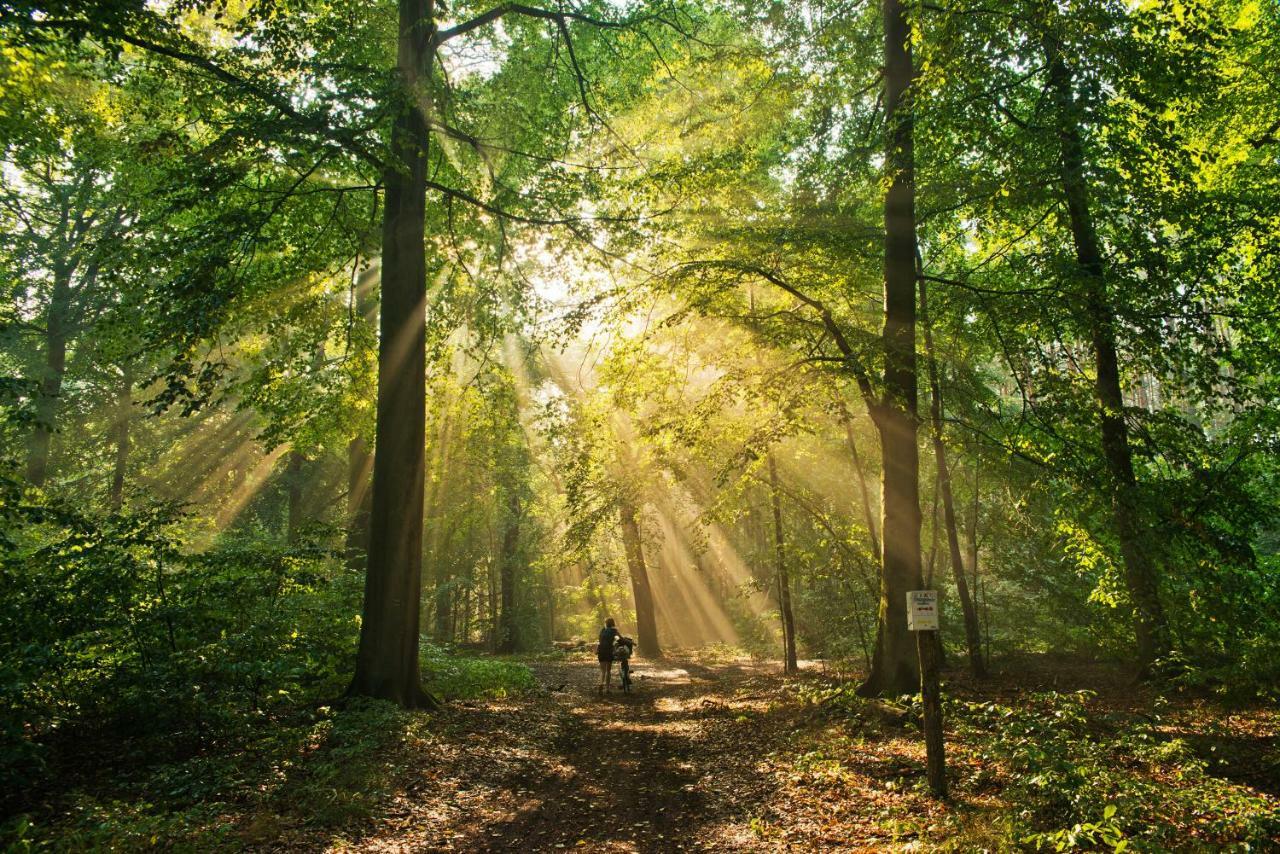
x: 387, y: 664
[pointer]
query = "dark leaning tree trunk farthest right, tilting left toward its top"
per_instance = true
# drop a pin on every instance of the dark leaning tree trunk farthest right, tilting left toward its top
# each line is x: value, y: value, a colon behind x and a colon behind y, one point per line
x: 1151, y: 628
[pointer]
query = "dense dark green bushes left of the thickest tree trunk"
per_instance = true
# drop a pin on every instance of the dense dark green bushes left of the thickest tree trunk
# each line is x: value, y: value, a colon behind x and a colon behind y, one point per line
x: 112, y: 625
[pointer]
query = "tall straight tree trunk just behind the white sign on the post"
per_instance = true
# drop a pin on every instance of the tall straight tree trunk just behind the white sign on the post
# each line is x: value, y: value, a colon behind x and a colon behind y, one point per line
x: 895, y: 668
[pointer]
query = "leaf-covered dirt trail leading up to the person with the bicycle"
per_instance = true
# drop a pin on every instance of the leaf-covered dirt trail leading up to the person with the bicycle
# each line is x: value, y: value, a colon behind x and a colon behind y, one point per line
x: 664, y: 769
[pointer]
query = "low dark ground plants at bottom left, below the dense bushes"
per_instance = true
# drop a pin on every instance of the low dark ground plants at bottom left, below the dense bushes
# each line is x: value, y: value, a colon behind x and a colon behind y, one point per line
x: 328, y: 768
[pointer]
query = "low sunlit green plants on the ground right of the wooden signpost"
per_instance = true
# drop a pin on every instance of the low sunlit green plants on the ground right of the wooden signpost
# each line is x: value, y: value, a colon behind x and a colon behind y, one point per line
x: 1078, y: 779
